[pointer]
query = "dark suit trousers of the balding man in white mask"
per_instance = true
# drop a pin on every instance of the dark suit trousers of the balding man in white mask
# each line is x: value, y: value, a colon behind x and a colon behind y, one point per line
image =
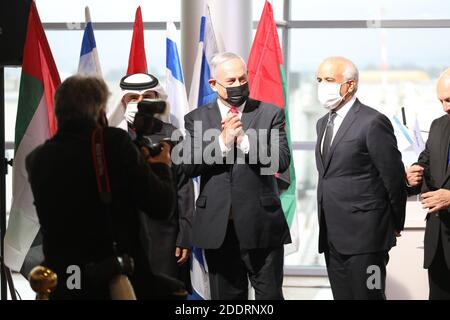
x: 357, y: 277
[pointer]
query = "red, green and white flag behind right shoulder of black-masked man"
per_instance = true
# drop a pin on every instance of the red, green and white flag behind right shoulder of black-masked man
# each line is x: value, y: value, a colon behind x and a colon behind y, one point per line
x: 267, y: 84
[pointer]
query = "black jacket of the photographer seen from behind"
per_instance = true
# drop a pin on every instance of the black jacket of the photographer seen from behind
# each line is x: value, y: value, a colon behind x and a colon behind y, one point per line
x: 76, y: 226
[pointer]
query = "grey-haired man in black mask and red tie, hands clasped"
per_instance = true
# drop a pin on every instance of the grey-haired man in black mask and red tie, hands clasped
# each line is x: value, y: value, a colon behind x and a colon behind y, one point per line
x: 238, y: 217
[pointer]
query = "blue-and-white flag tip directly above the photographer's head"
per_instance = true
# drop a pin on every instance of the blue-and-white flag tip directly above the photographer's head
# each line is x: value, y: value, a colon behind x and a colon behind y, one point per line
x: 89, y: 64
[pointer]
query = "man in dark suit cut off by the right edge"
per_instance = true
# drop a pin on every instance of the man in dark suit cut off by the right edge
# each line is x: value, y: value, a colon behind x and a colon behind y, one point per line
x: 431, y: 176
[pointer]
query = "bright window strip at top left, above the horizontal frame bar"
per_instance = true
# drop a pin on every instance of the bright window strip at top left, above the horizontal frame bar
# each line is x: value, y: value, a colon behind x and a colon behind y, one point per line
x: 108, y: 11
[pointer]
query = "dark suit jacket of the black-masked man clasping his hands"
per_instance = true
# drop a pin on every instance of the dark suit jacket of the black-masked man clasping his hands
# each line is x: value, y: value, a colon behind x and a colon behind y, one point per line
x: 253, y: 198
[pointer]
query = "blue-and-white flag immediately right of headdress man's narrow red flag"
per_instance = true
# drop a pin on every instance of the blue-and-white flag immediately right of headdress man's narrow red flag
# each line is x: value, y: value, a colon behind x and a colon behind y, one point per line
x: 176, y: 91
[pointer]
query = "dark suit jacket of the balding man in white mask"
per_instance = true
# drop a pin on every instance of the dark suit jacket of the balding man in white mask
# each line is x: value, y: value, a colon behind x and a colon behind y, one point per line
x: 361, y: 191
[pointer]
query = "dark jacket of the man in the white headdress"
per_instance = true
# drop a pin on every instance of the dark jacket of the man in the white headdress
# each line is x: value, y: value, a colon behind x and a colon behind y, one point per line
x: 162, y: 236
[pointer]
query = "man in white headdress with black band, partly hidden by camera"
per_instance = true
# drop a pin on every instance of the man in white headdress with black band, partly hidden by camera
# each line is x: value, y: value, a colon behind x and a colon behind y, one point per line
x: 167, y: 242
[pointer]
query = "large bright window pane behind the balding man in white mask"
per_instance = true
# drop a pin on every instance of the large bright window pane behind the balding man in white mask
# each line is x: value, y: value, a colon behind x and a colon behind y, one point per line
x: 394, y: 73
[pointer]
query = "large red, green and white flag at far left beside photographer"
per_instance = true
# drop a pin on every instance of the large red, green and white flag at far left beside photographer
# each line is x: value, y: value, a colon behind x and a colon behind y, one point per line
x: 35, y: 123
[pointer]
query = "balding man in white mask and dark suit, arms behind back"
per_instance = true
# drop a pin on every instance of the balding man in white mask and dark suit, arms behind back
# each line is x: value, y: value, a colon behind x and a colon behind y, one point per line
x: 361, y: 191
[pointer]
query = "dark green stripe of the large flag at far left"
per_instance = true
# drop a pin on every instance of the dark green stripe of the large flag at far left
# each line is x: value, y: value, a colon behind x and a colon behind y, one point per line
x: 30, y: 95
